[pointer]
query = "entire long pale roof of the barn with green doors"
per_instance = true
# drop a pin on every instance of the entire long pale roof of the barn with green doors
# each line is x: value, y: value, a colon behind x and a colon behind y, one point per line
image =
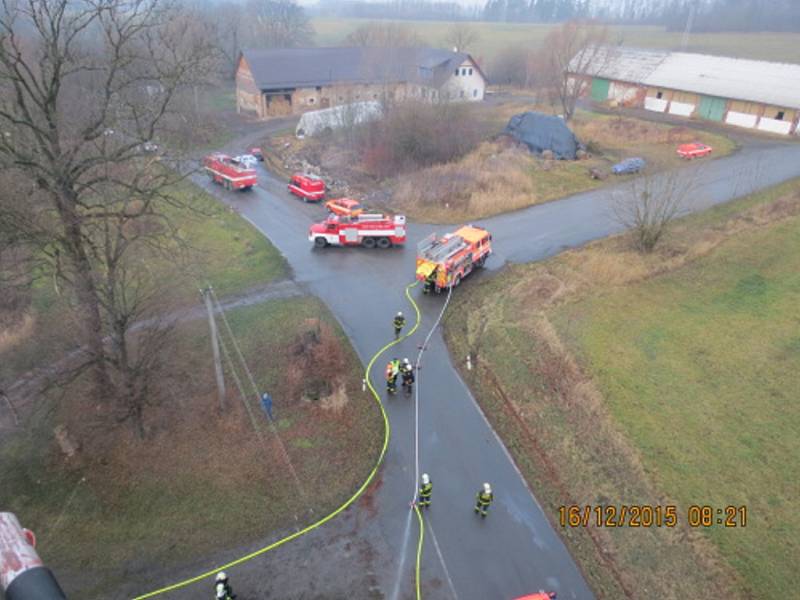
x: 772, y: 83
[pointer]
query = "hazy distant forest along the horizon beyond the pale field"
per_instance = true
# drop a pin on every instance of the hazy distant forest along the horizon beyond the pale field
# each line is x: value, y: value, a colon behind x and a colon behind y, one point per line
x: 705, y: 15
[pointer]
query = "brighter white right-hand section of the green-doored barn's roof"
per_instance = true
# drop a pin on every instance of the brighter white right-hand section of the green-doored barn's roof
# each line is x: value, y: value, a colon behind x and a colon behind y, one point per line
x: 752, y: 80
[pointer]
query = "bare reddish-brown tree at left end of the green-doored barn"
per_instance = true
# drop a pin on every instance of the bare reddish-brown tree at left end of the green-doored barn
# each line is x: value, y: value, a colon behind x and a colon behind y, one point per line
x: 571, y: 54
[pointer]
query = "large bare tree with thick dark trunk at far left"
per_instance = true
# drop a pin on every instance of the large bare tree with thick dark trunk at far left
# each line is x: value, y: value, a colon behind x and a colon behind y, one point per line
x: 82, y: 86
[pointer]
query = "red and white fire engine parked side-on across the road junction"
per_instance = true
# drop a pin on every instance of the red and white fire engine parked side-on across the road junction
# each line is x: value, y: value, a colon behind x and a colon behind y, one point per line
x: 368, y: 230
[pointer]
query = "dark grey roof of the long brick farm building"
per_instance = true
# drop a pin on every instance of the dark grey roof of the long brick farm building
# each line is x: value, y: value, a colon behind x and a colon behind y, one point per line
x: 282, y: 68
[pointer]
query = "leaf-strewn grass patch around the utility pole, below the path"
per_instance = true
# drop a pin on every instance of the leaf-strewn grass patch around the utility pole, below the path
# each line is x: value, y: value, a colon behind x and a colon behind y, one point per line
x: 208, y: 481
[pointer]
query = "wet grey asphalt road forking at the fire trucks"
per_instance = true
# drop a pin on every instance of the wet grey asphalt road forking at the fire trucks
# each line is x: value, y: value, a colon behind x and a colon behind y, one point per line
x: 515, y: 550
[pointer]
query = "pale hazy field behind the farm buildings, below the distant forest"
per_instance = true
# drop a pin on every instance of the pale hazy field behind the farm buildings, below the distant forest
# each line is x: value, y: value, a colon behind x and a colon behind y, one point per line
x: 494, y: 37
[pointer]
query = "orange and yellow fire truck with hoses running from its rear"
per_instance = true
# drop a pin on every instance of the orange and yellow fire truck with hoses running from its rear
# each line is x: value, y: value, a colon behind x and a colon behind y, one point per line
x: 443, y: 261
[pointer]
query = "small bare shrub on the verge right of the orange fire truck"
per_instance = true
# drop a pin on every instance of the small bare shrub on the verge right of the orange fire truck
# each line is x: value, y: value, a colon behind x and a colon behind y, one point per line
x: 650, y: 203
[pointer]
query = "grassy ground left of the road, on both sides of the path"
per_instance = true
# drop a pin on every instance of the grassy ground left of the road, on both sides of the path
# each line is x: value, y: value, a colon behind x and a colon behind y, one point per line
x: 123, y: 511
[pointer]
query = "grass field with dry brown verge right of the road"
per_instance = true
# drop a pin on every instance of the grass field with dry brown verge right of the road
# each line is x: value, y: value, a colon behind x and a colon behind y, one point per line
x: 665, y: 379
